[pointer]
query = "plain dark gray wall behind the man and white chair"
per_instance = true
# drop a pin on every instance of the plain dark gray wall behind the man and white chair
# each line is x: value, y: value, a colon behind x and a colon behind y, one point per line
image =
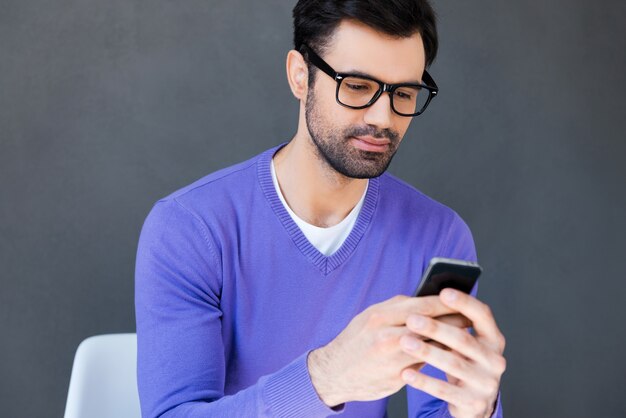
x: 107, y: 106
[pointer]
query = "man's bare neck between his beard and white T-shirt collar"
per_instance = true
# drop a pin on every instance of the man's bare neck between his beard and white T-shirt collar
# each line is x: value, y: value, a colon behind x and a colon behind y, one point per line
x: 314, y: 190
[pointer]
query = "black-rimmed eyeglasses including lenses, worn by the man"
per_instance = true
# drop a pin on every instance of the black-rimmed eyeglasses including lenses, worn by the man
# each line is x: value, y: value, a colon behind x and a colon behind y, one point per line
x: 357, y: 91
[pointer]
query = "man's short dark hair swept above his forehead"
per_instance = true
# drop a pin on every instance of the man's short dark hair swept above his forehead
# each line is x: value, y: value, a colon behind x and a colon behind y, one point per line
x: 315, y: 21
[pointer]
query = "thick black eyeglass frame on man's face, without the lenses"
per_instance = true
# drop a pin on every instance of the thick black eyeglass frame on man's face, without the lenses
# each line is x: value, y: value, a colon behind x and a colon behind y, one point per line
x: 429, y: 84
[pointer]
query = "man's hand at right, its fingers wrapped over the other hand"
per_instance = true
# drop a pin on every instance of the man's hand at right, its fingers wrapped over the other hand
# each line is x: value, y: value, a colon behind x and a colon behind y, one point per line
x: 473, y: 364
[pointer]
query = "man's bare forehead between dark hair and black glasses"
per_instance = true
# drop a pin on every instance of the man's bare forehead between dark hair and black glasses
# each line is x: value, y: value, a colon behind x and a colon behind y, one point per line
x: 357, y: 47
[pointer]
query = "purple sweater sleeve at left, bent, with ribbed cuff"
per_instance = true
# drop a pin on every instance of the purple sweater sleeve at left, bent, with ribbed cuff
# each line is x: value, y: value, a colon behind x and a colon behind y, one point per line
x: 180, y: 351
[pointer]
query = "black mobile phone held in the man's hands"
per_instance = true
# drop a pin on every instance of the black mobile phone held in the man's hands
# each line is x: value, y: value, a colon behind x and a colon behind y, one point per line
x: 448, y: 272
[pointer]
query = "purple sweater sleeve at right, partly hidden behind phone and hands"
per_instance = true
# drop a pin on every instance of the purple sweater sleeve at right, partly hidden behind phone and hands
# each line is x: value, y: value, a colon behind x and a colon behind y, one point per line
x: 458, y: 244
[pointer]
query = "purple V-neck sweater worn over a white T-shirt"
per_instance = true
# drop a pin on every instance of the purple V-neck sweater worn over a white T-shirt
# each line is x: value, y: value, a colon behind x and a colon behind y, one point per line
x: 231, y: 297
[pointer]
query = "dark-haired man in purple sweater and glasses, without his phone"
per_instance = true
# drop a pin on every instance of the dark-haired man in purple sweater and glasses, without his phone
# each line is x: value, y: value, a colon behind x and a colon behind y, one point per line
x: 278, y: 287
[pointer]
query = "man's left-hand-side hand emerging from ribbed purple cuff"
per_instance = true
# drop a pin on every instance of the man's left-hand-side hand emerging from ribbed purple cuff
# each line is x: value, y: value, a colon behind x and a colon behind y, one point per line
x: 364, y: 362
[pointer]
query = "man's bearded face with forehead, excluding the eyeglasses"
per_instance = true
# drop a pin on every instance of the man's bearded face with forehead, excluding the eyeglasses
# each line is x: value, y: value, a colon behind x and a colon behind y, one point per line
x: 361, y: 143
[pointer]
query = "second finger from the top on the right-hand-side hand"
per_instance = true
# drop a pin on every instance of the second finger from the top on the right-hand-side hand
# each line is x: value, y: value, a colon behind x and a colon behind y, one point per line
x: 458, y: 339
